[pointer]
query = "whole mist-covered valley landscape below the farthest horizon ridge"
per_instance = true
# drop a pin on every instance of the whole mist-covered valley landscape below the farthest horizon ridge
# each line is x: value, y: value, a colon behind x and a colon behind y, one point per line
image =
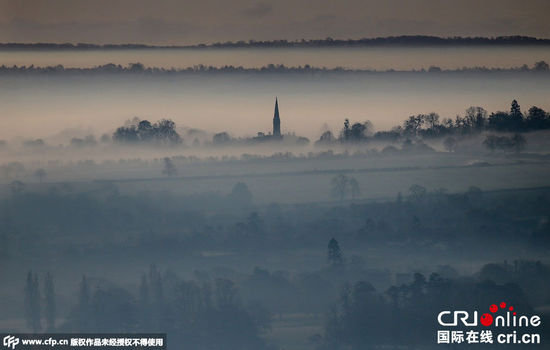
x: 369, y: 198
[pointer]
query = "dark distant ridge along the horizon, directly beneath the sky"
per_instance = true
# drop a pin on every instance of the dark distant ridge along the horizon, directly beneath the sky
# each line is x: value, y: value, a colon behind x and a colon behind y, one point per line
x: 404, y: 40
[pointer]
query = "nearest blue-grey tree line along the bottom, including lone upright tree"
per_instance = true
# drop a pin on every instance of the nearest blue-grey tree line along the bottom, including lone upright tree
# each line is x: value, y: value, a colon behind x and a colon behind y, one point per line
x: 209, y: 312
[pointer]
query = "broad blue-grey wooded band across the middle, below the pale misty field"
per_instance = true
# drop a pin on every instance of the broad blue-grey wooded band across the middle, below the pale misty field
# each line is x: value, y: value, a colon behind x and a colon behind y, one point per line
x: 187, y: 223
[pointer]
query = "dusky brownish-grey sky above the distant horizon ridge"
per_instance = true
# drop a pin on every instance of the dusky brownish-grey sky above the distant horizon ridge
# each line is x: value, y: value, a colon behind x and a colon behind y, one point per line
x: 194, y: 21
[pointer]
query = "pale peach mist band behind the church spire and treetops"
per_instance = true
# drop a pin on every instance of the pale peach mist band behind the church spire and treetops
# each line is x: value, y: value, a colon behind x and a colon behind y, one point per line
x: 46, y: 106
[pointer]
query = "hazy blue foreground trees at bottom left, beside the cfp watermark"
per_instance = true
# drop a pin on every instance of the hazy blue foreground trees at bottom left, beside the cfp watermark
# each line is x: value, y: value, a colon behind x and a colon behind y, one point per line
x: 197, y: 315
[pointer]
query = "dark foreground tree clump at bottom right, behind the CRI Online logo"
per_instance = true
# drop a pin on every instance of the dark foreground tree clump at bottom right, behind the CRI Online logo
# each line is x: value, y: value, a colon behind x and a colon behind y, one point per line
x: 405, y: 315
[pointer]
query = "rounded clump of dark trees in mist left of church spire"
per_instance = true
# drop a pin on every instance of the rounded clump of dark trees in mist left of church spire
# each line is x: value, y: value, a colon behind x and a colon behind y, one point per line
x: 162, y: 132
